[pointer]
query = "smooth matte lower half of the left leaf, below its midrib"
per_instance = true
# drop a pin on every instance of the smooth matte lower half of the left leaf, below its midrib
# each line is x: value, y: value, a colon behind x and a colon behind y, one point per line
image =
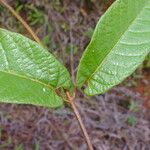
x: 21, y: 90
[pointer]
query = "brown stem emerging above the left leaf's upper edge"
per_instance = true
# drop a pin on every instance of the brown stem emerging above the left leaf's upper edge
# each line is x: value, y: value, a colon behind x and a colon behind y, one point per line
x: 28, y: 28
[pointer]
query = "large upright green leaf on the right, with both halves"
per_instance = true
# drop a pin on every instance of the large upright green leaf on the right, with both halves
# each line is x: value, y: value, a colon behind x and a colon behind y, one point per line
x: 119, y: 45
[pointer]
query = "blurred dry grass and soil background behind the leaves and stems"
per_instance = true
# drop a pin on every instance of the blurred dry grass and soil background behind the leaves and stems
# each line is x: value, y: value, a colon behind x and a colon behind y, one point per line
x: 117, y: 120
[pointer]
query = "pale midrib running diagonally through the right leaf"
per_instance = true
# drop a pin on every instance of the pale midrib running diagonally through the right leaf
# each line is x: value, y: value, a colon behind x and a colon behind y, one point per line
x: 116, y: 43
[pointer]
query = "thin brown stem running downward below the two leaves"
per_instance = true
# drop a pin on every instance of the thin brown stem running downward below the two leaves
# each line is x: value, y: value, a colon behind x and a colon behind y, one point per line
x: 75, y: 110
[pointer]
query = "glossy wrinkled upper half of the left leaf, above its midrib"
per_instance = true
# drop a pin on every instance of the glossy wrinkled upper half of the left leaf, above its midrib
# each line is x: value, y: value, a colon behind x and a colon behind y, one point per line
x: 36, y: 62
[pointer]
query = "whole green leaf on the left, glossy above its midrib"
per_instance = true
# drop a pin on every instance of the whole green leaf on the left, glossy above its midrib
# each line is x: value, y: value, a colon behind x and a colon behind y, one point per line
x: 29, y: 74
